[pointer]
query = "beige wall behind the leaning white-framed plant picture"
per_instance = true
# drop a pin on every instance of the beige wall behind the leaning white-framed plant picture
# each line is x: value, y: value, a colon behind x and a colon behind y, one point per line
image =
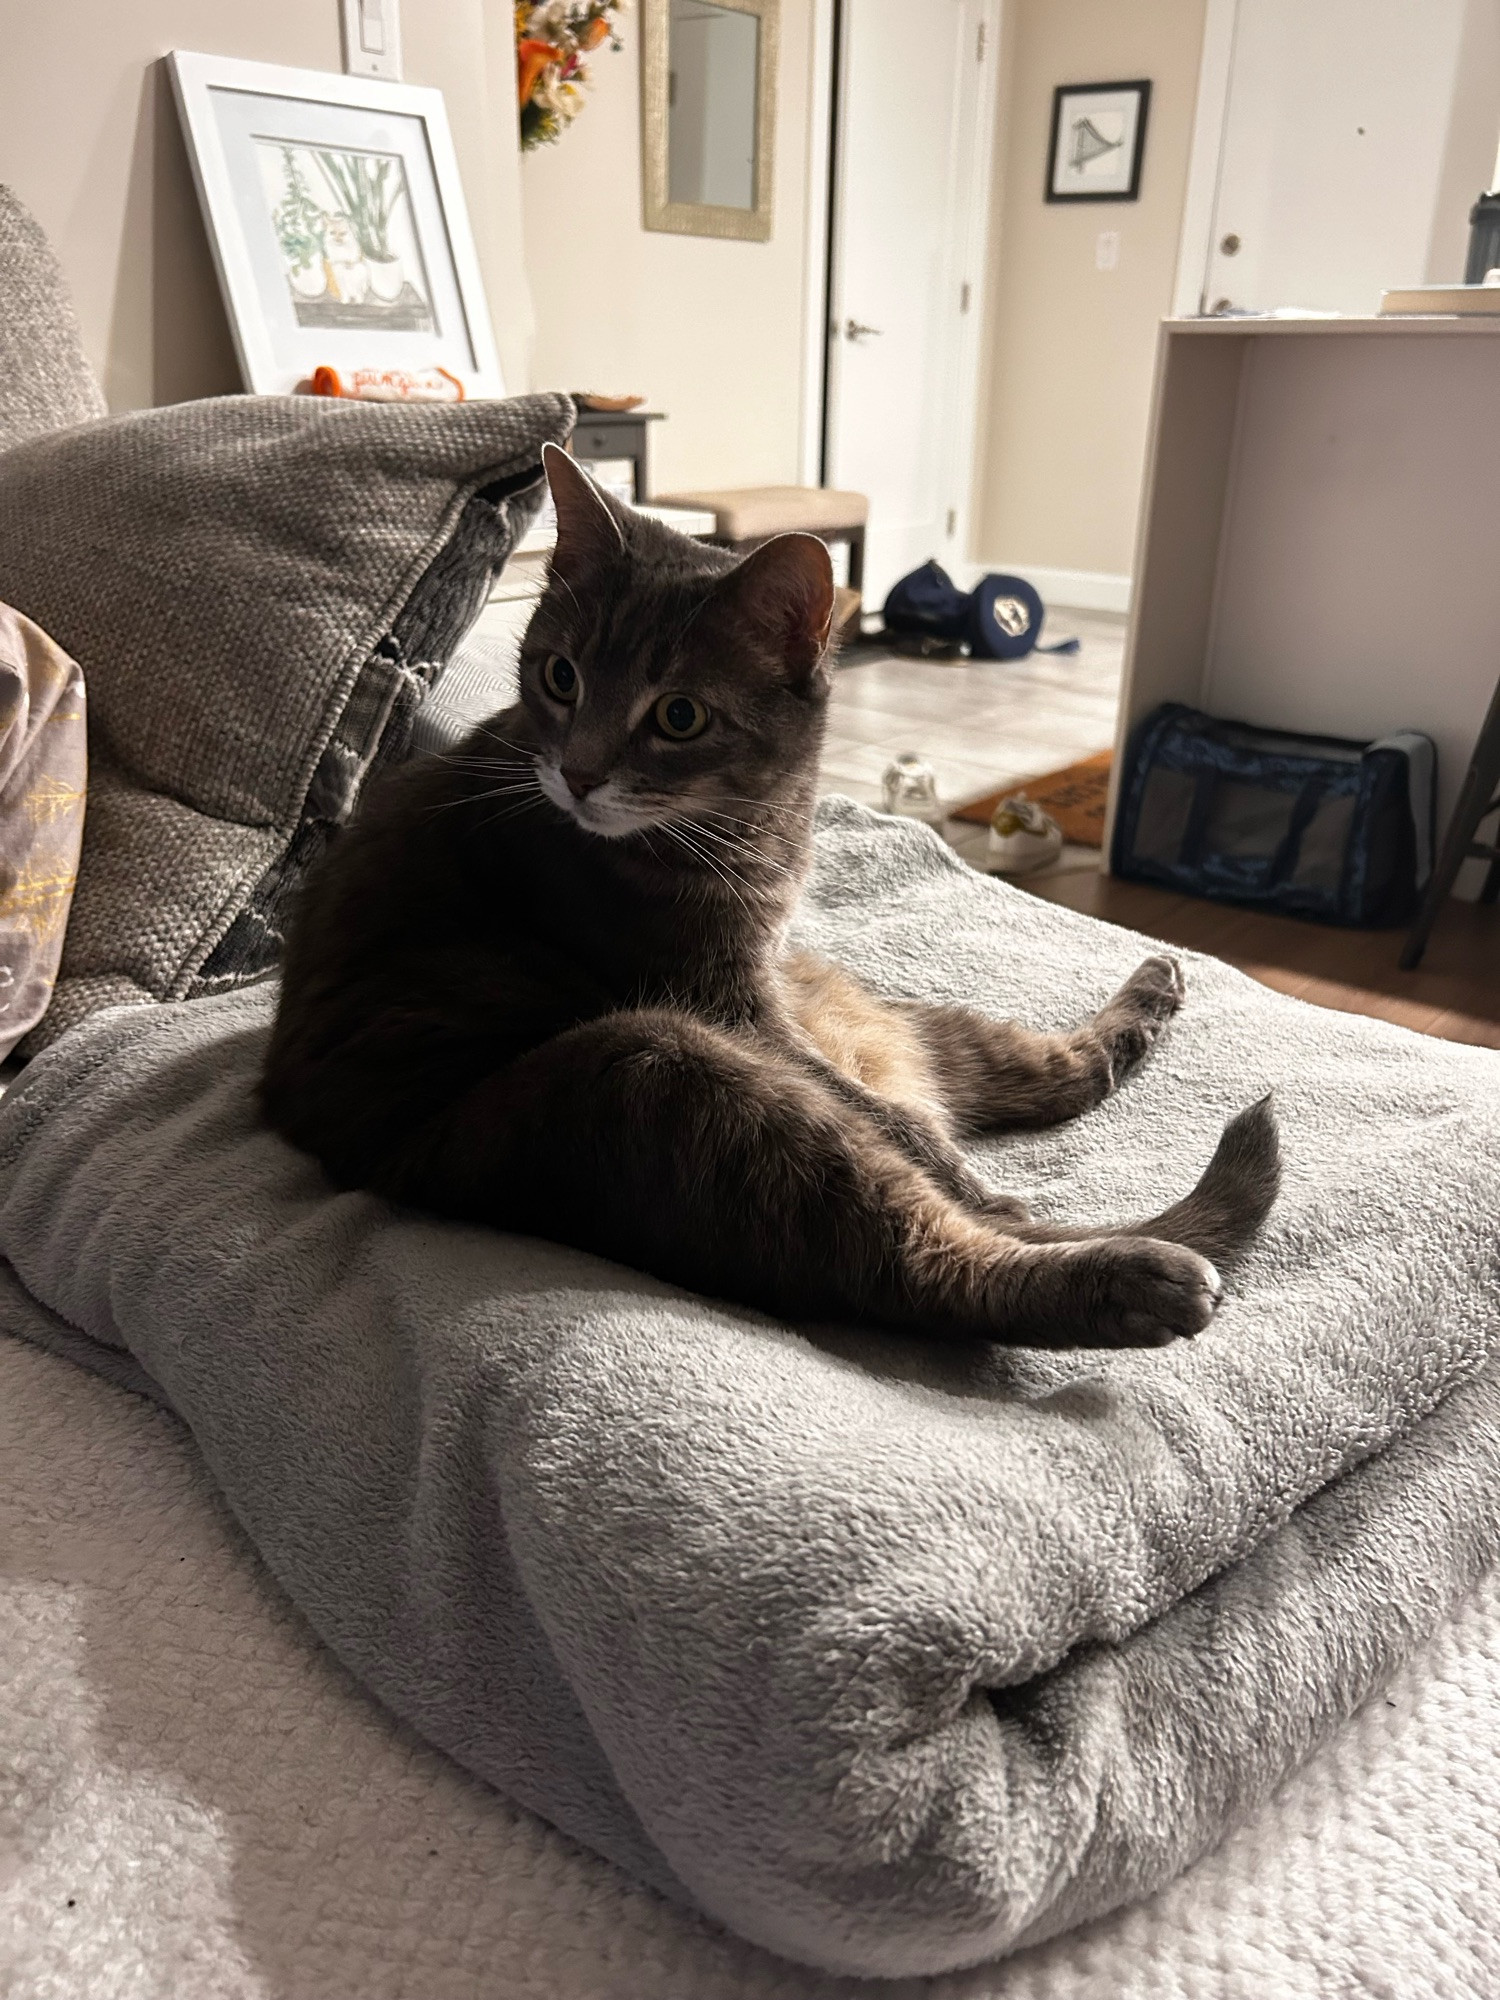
x: 91, y: 143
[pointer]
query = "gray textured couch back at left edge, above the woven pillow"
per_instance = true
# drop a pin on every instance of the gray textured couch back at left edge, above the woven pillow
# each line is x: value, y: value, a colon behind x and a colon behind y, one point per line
x: 45, y: 381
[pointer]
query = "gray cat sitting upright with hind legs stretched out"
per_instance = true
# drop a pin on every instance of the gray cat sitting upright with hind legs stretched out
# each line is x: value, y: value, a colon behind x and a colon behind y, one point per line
x: 541, y: 983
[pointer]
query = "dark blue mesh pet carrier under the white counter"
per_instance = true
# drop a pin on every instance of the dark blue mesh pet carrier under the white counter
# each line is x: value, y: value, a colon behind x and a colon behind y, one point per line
x: 1309, y: 825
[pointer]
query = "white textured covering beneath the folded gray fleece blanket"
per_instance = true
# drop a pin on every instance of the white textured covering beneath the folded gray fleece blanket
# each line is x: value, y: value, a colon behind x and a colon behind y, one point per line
x: 199, y: 1805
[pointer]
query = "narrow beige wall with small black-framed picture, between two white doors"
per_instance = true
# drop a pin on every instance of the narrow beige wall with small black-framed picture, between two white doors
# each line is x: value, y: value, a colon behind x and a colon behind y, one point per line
x: 1063, y: 423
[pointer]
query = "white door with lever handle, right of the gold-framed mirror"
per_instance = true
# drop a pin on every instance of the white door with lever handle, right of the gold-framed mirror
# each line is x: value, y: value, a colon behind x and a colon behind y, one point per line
x: 911, y: 207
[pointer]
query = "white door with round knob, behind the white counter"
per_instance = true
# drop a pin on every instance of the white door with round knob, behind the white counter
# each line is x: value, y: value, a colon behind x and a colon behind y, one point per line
x: 1341, y: 173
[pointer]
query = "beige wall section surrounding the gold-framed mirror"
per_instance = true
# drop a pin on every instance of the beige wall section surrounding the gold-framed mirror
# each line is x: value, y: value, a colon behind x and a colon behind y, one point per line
x: 707, y: 329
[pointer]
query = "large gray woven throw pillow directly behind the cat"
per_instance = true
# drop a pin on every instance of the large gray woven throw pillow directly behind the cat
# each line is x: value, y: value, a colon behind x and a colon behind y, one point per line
x: 259, y: 591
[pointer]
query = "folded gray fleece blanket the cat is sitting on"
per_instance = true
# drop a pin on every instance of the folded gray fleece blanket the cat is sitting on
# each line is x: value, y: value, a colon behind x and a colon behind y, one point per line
x: 891, y: 1659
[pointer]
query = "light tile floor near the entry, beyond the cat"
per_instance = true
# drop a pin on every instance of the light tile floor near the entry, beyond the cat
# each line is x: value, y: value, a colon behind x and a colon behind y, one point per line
x: 979, y: 723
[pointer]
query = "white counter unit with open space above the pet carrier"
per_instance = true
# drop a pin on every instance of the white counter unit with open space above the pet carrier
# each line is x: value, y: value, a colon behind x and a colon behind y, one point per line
x: 1319, y: 539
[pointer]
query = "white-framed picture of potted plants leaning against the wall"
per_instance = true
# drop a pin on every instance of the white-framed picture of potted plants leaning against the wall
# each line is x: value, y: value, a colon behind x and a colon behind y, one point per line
x: 337, y: 221
